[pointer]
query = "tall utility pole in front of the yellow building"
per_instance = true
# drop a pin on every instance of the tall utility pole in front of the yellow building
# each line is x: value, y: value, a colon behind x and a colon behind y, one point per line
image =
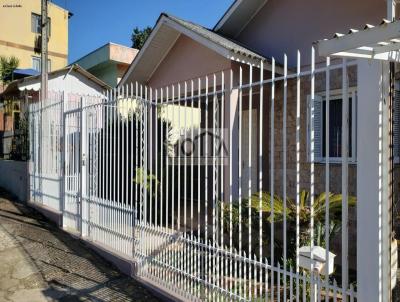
x: 45, y: 27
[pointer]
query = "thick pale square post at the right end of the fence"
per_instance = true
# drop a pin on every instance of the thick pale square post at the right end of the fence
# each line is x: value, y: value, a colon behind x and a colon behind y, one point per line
x: 373, y: 187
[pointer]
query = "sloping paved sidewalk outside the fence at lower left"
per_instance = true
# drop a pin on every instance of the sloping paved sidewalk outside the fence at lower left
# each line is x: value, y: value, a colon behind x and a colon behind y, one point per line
x: 38, y: 262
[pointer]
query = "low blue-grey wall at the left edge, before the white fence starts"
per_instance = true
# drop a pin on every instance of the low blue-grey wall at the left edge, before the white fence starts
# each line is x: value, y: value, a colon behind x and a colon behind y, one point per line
x: 13, y: 178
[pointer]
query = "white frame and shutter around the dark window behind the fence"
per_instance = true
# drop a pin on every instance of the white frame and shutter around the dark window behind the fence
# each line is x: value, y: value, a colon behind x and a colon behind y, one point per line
x: 336, y: 94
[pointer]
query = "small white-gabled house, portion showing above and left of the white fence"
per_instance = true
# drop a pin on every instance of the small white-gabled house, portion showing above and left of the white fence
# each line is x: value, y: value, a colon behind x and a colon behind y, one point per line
x: 69, y: 83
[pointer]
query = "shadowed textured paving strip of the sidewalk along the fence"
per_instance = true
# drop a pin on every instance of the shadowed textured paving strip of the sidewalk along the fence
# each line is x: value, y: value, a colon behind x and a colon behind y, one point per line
x: 71, y: 271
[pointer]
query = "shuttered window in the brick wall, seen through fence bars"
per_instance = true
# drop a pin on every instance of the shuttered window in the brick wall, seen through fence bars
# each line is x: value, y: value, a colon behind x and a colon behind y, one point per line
x: 335, y: 126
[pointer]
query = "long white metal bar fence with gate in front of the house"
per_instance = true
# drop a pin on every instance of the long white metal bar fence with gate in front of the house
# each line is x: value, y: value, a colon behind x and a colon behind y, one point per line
x: 180, y: 179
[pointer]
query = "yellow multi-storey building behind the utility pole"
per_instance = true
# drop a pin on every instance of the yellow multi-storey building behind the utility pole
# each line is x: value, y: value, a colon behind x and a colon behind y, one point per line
x: 21, y: 31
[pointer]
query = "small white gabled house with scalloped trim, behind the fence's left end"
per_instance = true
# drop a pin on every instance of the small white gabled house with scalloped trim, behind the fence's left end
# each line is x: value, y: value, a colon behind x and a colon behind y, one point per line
x: 68, y: 85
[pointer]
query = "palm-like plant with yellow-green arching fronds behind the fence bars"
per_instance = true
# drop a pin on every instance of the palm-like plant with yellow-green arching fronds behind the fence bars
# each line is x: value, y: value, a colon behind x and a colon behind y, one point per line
x: 276, y: 209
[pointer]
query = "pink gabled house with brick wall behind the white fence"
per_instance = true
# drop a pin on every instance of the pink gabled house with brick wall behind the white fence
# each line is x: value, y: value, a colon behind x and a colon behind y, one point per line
x: 252, y: 32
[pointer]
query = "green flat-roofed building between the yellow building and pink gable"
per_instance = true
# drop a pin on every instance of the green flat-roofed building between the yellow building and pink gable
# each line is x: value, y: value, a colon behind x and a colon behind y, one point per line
x: 108, y: 62
